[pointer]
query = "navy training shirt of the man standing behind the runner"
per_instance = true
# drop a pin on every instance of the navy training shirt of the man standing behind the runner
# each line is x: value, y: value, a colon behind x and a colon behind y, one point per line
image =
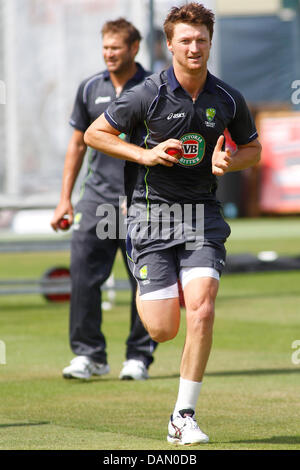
x: 104, y: 181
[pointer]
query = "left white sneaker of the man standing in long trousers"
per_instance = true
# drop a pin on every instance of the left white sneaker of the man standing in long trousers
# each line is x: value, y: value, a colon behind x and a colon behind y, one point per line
x: 81, y: 367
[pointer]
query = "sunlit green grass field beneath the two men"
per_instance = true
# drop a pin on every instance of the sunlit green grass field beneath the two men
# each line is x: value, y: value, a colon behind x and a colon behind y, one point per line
x: 250, y: 396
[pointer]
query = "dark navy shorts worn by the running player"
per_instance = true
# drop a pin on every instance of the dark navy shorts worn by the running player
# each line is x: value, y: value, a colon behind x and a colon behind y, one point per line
x: 156, y: 264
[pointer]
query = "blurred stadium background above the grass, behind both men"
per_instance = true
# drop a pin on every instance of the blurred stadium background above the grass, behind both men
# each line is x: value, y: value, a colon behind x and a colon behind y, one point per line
x: 48, y: 46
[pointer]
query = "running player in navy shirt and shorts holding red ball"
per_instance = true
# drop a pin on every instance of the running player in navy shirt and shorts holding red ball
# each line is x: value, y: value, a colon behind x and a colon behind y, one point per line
x: 184, y: 108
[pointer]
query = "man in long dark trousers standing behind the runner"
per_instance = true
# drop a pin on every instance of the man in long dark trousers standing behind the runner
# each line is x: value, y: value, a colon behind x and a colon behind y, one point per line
x: 91, y: 258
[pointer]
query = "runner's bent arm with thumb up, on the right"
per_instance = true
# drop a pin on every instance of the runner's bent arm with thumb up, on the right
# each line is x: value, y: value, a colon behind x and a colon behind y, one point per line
x: 245, y: 157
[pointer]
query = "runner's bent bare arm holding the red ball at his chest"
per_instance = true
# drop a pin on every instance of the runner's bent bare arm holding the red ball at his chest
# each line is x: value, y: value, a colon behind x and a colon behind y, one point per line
x: 104, y: 138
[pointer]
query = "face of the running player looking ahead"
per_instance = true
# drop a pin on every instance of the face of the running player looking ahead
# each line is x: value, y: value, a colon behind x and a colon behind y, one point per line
x: 190, y: 46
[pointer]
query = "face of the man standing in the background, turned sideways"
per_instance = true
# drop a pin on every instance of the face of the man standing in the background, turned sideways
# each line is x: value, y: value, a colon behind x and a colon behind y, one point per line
x: 117, y: 55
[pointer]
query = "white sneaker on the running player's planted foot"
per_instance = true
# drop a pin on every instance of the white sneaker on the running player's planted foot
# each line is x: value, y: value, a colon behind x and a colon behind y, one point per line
x: 184, y: 430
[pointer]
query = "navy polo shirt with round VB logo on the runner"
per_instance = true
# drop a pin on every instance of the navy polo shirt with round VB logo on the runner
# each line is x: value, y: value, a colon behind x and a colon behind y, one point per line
x: 160, y: 109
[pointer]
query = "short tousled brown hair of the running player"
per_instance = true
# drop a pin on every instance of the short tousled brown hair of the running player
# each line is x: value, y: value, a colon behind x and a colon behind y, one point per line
x: 191, y: 13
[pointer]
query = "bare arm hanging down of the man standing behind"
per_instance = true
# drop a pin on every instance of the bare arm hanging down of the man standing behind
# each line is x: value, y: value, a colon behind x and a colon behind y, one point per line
x: 73, y: 162
